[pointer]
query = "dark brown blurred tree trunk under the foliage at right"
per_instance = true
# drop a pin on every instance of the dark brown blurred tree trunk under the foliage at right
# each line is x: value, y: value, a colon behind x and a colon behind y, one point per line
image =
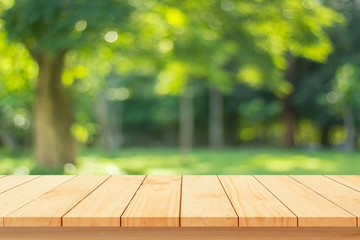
x: 289, y: 123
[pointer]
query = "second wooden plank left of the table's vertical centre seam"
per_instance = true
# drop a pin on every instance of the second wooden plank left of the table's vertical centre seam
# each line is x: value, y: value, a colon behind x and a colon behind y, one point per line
x: 106, y: 204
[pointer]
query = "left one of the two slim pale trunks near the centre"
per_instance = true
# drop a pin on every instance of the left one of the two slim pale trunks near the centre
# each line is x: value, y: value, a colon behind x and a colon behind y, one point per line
x: 186, y: 120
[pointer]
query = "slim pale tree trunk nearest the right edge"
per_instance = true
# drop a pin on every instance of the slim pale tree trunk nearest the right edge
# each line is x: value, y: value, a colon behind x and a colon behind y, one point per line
x: 349, y: 122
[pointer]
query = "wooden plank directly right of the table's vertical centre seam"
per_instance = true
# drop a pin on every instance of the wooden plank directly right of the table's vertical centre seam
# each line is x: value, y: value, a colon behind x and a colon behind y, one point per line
x: 204, y: 203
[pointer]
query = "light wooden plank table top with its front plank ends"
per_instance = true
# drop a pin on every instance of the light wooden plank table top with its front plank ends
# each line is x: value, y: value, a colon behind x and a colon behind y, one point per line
x: 174, y: 200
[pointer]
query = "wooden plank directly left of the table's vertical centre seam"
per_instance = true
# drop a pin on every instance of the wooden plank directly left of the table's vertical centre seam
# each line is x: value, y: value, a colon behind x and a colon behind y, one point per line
x: 156, y: 203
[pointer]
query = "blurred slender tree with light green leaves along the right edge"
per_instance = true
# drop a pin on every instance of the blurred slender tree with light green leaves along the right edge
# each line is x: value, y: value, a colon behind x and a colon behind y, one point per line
x: 344, y: 97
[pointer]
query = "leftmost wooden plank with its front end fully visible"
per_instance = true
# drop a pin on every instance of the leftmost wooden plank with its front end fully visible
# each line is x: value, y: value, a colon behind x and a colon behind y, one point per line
x: 48, y: 209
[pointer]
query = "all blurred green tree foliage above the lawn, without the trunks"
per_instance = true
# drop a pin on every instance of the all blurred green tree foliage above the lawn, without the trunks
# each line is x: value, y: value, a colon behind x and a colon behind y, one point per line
x: 138, y: 55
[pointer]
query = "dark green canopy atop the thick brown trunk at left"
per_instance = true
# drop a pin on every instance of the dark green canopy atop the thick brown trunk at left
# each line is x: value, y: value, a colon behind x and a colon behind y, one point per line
x: 60, y: 25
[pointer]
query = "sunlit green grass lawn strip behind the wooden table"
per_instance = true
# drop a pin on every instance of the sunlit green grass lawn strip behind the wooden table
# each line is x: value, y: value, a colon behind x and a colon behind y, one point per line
x: 200, y: 161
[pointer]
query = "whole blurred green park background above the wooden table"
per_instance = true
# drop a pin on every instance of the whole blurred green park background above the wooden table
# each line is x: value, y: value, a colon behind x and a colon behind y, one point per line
x: 179, y: 87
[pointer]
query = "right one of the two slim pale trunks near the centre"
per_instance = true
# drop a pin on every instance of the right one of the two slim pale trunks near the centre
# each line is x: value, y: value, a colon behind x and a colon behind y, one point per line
x: 216, y: 119
